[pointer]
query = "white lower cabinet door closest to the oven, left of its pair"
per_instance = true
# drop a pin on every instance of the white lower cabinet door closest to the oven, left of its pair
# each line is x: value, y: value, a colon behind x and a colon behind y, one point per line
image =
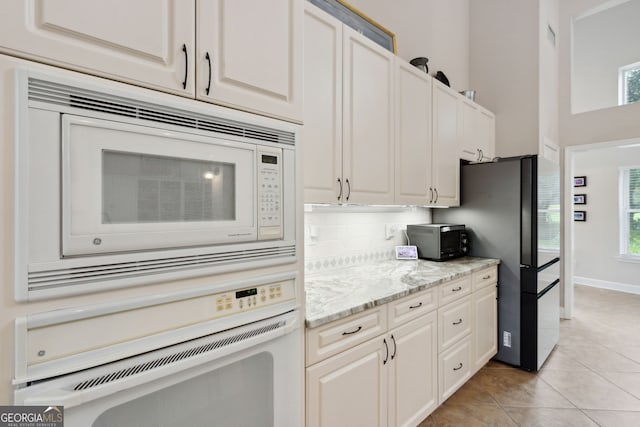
x: 349, y: 389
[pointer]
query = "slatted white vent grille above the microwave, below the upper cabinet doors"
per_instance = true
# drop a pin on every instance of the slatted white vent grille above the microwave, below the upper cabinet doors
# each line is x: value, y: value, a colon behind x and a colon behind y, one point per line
x: 77, y: 97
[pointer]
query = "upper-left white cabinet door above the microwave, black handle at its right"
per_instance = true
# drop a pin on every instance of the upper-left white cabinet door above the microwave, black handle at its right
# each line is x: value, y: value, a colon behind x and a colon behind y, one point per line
x: 139, y: 42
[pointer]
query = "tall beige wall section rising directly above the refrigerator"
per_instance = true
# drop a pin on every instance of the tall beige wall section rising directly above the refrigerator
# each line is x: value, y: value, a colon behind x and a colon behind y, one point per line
x: 504, y: 69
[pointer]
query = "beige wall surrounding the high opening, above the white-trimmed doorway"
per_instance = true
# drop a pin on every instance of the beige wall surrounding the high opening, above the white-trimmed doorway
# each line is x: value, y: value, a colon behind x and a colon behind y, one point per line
x: 609, y: 124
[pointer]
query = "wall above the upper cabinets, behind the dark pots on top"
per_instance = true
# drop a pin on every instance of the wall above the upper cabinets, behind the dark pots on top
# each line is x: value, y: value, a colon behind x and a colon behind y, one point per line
x: 436, y: 29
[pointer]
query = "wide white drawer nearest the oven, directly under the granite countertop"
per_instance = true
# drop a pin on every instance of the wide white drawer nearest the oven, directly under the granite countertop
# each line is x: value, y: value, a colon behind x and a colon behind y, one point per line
x: 334, y: 337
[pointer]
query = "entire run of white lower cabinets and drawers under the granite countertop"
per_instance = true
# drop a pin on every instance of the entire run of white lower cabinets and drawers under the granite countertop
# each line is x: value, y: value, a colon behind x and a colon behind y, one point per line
x: 394, y: 364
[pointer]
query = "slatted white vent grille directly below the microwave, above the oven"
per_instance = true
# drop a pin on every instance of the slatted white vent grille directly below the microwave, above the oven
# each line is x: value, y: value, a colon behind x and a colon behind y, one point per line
x: 69, y: 277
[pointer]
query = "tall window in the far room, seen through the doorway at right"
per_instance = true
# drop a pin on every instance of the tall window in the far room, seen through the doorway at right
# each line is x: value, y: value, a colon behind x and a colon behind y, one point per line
x: 630, y: 211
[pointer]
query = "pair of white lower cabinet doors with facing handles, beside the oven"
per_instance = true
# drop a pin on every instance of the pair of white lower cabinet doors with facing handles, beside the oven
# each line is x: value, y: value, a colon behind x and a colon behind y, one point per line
x: 395, y: 373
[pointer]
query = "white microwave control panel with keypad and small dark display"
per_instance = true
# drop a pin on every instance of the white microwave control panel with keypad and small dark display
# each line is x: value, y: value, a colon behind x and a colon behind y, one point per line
x: 269, y: 193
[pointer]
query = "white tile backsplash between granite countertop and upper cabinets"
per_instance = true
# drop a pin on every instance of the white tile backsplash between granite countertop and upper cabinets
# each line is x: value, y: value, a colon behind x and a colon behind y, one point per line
x: 342, y: 236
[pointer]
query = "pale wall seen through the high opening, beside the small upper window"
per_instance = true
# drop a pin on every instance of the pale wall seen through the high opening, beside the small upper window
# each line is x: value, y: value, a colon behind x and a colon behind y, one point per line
x: 602, y: 43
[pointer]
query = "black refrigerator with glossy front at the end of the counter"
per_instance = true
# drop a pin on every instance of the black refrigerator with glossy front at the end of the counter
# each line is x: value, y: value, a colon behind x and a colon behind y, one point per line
x: 511, y: 208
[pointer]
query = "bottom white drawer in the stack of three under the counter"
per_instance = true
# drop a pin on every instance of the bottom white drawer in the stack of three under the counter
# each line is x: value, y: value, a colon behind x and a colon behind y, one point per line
x: 454, y: 369
